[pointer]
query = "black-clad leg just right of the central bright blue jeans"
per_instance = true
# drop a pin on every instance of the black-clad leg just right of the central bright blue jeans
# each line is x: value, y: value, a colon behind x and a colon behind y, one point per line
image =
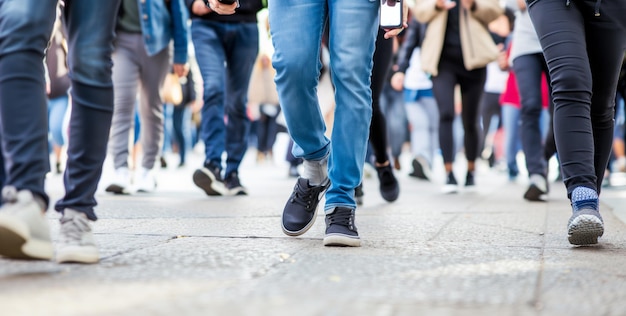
x: 378, y: 127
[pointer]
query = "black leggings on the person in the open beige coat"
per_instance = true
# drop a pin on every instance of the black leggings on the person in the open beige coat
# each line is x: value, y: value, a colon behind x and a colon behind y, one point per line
x: 451, y: 72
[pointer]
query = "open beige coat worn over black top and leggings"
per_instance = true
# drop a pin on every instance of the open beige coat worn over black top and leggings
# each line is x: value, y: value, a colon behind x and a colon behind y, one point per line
x: 476, y: 42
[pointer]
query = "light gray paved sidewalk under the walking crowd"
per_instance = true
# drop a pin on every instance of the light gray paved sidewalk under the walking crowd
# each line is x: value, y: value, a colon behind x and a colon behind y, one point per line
x: 179, y: 252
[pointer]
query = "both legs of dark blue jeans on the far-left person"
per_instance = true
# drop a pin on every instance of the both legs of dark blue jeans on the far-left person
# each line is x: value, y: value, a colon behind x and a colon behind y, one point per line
x: 27, y: 25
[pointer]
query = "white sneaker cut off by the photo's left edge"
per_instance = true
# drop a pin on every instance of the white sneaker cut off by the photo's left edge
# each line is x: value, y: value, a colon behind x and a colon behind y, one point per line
x: 24, y: 230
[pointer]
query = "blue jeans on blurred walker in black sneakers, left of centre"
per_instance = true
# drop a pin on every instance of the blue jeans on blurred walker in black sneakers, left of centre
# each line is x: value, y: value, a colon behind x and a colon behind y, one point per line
x: 225, y: 88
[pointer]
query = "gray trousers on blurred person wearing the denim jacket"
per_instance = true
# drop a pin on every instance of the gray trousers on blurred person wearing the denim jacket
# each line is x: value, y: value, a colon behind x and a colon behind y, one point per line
x: 133, y: 69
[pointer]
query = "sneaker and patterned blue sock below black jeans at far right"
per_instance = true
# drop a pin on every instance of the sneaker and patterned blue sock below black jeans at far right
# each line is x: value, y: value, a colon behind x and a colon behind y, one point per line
x: 586, y: 224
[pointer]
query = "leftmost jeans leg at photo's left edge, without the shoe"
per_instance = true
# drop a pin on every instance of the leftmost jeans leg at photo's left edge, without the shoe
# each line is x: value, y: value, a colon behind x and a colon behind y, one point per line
x: 24, y: 35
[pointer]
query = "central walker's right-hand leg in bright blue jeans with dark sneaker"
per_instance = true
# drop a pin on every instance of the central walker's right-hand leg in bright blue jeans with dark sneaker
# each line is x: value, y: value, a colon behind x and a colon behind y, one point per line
x: 351, y: 47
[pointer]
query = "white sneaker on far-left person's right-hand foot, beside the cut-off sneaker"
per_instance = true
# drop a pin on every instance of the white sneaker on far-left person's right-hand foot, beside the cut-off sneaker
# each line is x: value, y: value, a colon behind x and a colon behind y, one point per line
x: 76, y: 243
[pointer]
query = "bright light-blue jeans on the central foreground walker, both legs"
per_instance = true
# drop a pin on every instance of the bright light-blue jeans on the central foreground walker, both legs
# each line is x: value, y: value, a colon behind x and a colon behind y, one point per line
x: 296, y: 30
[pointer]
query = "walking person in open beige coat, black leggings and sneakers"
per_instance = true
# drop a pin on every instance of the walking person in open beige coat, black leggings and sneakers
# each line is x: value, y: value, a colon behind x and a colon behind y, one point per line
x: 456, y: 49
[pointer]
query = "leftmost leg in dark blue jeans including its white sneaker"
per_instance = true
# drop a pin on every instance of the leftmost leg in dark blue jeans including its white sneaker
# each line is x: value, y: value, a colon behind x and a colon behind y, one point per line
x: 24, y: 35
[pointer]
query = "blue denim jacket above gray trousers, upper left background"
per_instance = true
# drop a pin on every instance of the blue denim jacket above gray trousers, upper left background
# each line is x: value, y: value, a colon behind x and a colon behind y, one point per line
x: 161, y: 21
